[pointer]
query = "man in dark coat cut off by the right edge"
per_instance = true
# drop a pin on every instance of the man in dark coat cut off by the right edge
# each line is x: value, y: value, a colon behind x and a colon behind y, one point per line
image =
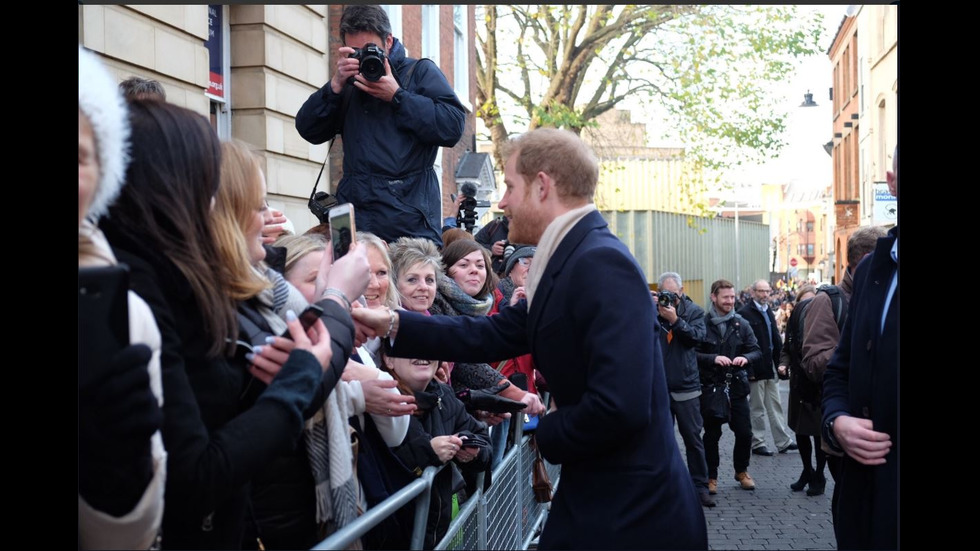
x: 860, y: 400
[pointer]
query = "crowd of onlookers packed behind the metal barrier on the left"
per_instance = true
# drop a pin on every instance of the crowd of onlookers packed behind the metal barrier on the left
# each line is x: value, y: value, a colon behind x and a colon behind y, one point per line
x: 222, y: 422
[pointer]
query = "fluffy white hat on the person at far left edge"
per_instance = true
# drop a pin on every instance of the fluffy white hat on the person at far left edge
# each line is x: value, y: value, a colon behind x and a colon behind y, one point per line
x: 101, y: 102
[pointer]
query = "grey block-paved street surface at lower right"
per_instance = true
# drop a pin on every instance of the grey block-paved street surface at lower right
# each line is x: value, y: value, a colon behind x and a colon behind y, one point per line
x: 772, y: 516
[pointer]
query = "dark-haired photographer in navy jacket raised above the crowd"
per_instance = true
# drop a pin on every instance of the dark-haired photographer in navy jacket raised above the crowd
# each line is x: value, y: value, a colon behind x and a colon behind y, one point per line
x: 393, y: 112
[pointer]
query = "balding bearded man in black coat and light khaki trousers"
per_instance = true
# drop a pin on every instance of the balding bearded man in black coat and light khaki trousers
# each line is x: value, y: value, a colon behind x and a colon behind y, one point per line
x: 764, y: 387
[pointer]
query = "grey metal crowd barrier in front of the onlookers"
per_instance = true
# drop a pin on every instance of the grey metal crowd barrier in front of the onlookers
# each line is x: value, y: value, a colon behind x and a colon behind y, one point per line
x: 505, y: 517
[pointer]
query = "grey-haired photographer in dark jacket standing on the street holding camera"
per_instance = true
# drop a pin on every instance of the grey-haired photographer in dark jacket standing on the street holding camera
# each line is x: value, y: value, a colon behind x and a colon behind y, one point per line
x: 683, y: 330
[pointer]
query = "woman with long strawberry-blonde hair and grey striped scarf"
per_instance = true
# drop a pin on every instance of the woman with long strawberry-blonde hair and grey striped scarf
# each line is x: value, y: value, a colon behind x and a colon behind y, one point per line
x: 297, y: 497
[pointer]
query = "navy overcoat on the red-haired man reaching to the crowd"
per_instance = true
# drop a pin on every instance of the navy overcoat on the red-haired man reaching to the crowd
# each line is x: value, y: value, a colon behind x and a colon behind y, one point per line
x: 593, y: 334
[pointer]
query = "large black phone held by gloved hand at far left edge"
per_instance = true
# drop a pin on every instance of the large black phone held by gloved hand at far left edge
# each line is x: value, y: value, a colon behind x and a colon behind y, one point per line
x: 103, y: 317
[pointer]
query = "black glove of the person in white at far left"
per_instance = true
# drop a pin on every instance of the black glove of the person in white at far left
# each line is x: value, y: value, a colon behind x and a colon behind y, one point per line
x: 117, y: 415
